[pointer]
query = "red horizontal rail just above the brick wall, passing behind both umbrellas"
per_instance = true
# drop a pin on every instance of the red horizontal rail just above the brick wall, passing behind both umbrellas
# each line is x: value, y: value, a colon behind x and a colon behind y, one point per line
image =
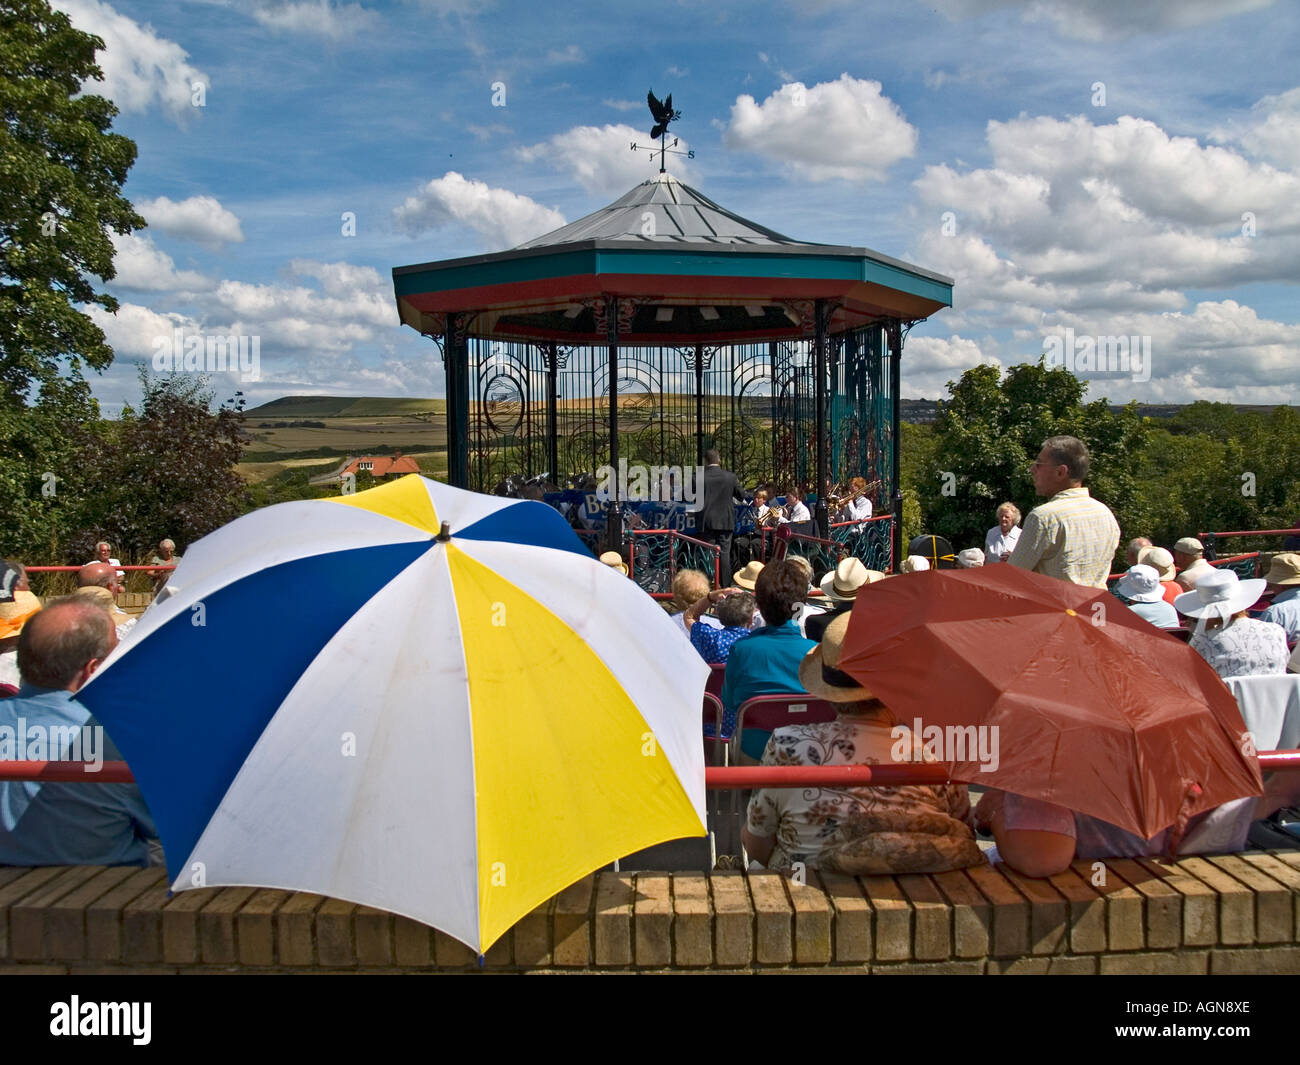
x: 718, y: 778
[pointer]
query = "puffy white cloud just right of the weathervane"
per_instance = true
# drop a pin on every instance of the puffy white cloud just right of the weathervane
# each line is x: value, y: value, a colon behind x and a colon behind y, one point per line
x: 844, y: 129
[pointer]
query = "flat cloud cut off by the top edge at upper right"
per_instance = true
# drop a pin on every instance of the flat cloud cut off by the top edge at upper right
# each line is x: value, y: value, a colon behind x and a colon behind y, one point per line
x: 1098, y: 20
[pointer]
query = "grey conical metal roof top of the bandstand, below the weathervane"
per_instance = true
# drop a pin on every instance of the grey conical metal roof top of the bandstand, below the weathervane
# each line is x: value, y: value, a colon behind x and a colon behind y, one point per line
x: 682, y: 217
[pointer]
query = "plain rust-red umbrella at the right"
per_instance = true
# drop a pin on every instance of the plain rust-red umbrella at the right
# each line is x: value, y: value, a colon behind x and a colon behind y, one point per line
x: 1084, y: 703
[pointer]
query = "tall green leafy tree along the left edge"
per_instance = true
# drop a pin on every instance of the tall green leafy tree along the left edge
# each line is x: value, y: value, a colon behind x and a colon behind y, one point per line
x: 62, y: 174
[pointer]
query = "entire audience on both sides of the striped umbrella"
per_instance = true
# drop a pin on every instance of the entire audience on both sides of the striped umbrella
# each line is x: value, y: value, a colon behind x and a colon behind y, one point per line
x: 777, y: 631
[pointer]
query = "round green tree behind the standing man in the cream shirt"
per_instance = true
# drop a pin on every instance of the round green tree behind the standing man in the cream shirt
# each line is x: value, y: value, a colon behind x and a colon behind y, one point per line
x: 993, y: 428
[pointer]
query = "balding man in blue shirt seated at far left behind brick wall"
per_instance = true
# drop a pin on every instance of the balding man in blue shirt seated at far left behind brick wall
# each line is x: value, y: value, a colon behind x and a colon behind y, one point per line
x: 58, y: 824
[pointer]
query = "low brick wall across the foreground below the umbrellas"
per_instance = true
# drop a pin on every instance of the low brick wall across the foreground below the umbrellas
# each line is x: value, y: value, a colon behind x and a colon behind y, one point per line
x: 1236, y: 914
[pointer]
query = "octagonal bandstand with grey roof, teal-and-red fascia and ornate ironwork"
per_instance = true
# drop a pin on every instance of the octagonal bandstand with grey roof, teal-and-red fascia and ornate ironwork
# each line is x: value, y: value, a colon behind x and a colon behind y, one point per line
x: 662, y: 326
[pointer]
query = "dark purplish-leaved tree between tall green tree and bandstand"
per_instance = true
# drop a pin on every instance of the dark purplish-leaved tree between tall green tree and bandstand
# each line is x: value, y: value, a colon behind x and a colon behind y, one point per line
x: 168, y: 471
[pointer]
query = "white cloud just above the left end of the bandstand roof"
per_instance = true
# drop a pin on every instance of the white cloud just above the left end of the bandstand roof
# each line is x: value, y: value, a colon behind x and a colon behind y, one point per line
x: 504, y: 219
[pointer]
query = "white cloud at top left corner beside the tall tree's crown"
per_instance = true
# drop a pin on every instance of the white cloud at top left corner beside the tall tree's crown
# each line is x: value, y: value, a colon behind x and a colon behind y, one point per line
x: 141, y: 70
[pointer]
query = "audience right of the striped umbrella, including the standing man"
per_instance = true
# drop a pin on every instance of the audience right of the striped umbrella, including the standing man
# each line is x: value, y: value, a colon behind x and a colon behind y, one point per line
x: 916, y: 829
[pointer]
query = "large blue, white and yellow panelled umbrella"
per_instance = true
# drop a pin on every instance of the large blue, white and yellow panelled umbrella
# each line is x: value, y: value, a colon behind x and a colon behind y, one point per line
x: 337, y: 700
